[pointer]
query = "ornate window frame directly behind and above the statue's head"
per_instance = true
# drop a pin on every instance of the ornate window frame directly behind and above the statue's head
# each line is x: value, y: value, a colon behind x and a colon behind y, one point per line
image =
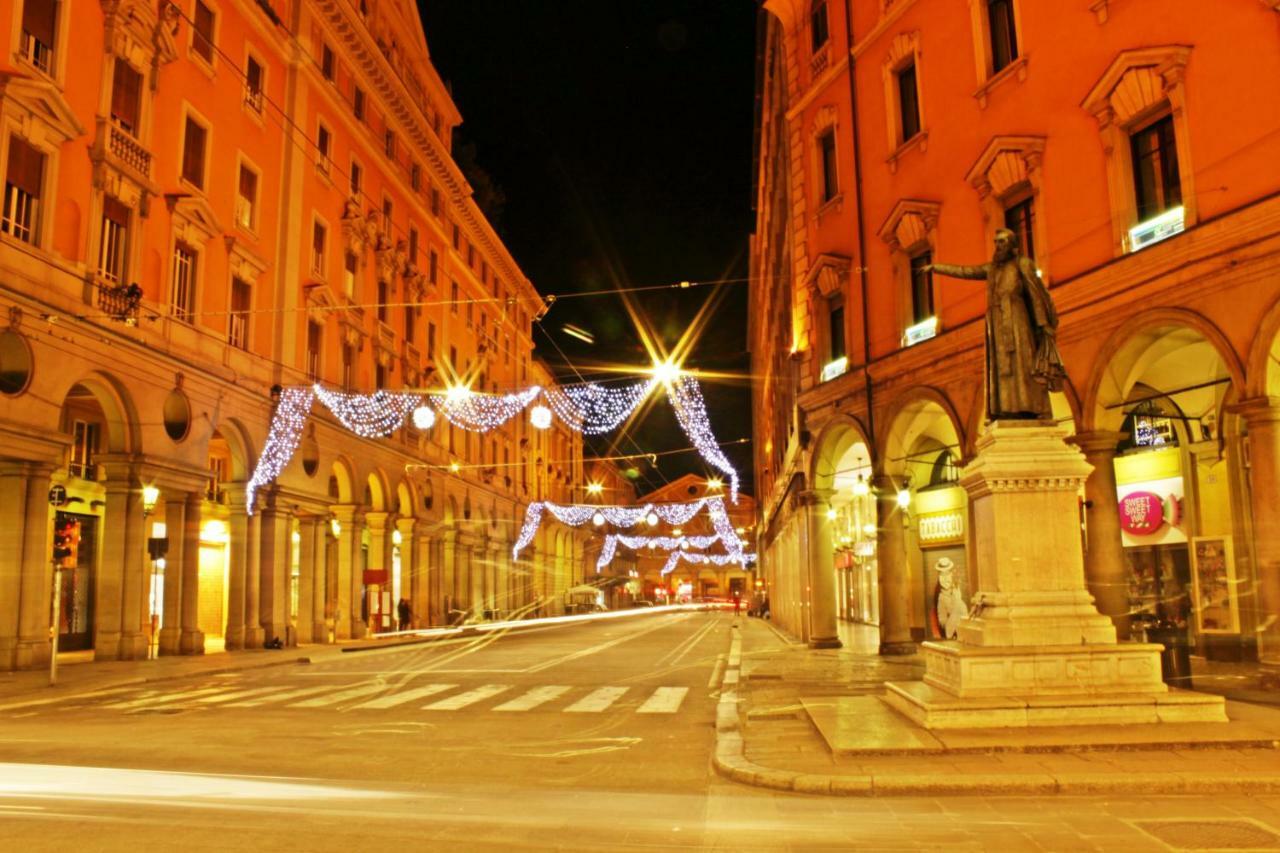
x: 1009, y: 171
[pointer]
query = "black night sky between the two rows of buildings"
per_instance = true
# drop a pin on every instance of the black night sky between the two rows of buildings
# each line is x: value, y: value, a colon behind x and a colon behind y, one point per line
x: 619, y: 136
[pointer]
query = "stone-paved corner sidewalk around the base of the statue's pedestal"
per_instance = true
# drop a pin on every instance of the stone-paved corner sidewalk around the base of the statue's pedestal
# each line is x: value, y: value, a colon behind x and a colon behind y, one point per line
x: 810, y: 720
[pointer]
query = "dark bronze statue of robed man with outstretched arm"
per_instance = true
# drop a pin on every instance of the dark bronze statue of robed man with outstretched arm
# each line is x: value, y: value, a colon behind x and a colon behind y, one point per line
x: 1023, y: 364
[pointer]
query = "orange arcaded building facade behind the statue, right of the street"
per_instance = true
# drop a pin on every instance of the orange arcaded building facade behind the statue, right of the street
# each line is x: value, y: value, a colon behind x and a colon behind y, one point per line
x: 1127, y: 145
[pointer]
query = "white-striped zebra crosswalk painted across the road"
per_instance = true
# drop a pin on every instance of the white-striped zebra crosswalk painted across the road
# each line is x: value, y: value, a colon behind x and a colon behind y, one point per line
x: 382, y: 696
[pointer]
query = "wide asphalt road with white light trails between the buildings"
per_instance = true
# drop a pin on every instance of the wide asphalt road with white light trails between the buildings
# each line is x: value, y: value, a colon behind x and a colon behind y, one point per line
x: 583, y: 737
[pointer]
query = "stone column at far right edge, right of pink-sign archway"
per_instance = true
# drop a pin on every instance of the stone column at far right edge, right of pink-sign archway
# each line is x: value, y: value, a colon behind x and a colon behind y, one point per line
x: 1263, y: 417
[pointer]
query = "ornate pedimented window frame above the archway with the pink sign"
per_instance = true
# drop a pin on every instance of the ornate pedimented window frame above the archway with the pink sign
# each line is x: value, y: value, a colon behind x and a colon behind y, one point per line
x: 1140, y: 86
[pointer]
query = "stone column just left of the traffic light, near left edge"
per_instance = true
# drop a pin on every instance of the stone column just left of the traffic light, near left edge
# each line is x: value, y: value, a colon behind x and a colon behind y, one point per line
x: 38, y: 573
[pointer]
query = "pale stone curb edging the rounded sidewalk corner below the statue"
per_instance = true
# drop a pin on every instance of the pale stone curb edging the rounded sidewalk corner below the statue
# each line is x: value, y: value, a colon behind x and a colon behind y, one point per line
x: 732, y: 763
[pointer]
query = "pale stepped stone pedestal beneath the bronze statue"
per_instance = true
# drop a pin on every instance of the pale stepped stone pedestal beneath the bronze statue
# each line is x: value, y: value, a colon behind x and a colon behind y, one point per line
x: 1035, y: 650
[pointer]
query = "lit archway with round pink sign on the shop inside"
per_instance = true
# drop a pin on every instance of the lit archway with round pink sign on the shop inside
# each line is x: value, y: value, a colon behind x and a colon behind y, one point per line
x: 1163, y: 389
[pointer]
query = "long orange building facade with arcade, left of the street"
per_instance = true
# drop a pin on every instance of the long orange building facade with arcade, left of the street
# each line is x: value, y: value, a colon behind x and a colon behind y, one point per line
x: 230, y: 198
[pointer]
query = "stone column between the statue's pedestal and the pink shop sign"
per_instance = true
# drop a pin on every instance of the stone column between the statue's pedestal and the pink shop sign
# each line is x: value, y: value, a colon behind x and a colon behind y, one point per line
x: 1105, y: 569
